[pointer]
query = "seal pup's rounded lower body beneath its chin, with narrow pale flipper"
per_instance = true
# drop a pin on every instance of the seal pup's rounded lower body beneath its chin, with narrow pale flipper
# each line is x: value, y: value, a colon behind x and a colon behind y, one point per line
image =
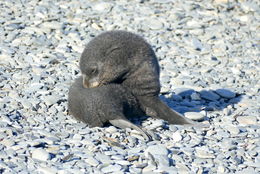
x: 108, y: 103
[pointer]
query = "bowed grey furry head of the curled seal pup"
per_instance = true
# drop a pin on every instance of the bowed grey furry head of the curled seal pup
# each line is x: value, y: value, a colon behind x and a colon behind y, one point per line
x: 106, y: 59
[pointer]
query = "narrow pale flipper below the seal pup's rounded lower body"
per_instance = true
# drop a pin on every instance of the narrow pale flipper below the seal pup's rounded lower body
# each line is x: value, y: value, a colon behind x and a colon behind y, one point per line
x: 121, y: 123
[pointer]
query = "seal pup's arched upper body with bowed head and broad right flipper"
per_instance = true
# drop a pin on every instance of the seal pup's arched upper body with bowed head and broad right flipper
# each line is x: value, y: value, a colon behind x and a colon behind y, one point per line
x: 125, y: 58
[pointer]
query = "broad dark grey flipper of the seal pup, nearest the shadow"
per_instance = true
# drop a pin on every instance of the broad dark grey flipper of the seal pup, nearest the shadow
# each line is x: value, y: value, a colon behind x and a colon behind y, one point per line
x: 154, y: 107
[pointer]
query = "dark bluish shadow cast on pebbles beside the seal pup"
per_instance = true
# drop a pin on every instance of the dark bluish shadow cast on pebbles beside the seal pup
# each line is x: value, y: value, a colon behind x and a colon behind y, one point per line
x: 190, y: 100
